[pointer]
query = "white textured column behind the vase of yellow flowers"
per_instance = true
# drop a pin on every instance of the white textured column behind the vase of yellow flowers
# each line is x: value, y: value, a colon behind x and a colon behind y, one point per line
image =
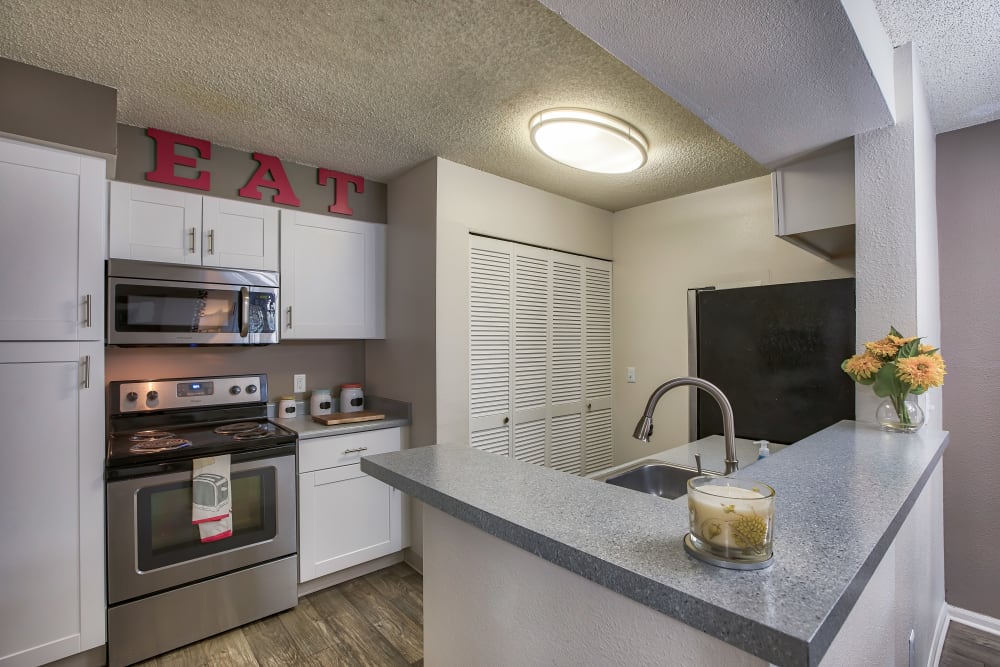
x: 897, y: 265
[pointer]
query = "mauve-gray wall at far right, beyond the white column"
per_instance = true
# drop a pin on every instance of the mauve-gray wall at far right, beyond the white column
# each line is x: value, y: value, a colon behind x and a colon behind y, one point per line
x: 968, y: 191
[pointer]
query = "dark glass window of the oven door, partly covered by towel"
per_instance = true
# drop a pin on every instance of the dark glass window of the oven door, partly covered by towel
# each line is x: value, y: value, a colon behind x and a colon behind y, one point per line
x: 166, y: 535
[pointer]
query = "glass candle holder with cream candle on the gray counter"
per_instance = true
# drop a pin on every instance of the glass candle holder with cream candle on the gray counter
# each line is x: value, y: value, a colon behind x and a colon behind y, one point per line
x: 731, y: 520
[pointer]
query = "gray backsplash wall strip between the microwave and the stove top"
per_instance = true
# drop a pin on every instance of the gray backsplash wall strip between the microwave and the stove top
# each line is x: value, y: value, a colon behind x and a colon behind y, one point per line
x: 327, y: 364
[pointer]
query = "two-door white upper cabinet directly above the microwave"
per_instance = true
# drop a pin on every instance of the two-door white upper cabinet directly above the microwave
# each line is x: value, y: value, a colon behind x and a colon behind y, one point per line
x: 160, y: 225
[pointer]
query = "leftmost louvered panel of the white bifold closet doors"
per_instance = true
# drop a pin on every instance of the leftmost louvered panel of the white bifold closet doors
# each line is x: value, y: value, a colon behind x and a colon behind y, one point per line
x: 490, y: 344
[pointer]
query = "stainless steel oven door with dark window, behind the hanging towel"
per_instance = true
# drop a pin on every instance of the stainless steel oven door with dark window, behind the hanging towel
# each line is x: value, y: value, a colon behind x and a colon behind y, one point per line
x: 152, y: 544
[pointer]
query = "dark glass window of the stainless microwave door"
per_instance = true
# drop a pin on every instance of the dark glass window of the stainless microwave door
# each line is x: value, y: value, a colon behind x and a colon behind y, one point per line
x: 169, y: 308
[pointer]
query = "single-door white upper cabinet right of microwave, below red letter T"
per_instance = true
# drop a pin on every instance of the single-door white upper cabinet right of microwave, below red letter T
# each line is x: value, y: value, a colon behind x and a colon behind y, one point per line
x: 332, y: 277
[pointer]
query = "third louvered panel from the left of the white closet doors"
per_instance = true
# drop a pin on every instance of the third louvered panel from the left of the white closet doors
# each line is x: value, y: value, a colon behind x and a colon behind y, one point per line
x: 566, y: 365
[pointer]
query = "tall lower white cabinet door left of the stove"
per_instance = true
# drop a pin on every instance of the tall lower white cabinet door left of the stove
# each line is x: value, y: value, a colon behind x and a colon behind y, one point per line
x: 51, y: 501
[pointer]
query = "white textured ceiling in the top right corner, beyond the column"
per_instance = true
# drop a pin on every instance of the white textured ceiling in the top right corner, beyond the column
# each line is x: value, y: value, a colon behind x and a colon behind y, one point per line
x: 958, y: 49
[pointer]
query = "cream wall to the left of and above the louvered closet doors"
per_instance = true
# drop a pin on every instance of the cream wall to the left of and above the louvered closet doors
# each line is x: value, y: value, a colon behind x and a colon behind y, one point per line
x: 474, y: 201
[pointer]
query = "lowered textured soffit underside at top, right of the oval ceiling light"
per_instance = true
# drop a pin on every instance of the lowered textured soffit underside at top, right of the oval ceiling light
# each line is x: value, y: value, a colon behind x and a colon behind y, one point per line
x: 779, y: 78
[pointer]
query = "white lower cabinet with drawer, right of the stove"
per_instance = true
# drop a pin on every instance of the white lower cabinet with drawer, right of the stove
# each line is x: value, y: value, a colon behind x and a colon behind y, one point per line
x: 345, y: 516
